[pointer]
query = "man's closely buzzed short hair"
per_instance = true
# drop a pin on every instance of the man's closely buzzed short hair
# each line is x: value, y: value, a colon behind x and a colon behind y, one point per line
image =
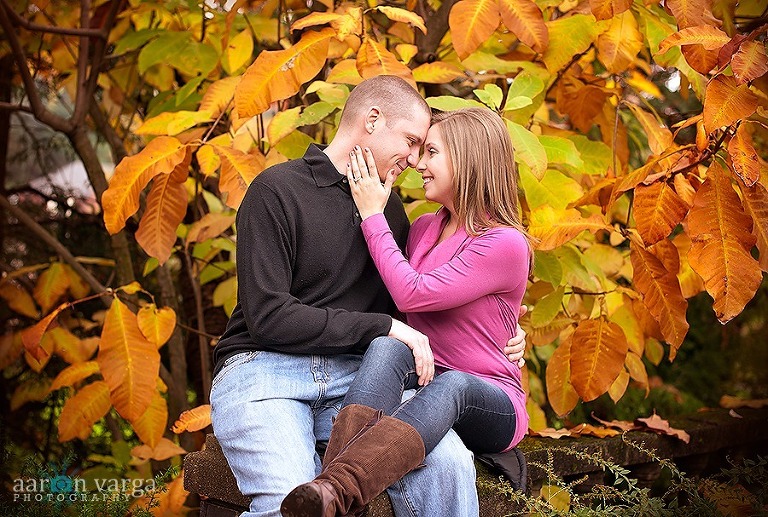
x: 394, y: 95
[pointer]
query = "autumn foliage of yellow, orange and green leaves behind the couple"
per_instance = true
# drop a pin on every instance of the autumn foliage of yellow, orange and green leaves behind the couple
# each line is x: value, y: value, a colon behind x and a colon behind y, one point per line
x: 640, y: 133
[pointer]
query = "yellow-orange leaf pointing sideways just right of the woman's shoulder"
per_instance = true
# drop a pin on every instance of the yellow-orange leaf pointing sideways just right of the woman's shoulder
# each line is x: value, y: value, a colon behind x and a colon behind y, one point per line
x: 554, y: 228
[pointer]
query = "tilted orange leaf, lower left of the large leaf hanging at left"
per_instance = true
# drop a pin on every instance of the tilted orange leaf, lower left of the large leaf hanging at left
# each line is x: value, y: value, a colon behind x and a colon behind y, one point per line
x: 83, y: 410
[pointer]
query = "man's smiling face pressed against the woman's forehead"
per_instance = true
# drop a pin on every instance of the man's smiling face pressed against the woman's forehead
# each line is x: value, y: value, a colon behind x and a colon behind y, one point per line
x: 396, y: 145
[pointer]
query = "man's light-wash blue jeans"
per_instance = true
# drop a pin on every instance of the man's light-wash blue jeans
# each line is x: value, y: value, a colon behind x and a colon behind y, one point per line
x: 268, y: 410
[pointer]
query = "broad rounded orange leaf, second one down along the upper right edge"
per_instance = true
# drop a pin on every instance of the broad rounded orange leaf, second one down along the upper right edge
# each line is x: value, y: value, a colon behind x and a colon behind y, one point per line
x: 726, y: 102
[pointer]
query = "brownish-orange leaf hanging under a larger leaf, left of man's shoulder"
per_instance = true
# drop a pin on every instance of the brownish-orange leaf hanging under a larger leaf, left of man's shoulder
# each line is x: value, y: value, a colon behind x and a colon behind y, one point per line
x: 166, y: 208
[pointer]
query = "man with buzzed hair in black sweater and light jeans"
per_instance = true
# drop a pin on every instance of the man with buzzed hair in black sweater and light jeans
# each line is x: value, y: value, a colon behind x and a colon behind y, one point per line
x: 309, y: 302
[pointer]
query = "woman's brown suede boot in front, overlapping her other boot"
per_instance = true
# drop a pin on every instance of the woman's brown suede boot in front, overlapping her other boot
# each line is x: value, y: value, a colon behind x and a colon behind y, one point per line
x: 365, y: 468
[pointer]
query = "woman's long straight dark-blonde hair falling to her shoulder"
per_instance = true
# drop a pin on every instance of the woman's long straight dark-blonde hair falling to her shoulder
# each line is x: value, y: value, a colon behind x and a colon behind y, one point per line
x: 484, y: 170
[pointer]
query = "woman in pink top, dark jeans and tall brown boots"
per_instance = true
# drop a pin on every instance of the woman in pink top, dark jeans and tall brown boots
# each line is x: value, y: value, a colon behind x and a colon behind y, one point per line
x: 463, y: 287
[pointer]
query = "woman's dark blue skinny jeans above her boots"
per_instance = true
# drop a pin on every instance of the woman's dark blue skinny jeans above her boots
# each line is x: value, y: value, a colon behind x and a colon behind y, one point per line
x: 480, y: 412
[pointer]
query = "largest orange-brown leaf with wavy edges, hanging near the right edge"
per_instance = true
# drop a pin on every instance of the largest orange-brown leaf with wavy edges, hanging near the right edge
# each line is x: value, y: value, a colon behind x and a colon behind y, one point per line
x: 722, y: 241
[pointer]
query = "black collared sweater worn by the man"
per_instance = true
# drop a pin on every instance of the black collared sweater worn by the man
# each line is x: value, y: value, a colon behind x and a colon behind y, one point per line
x: 306, y: 283
